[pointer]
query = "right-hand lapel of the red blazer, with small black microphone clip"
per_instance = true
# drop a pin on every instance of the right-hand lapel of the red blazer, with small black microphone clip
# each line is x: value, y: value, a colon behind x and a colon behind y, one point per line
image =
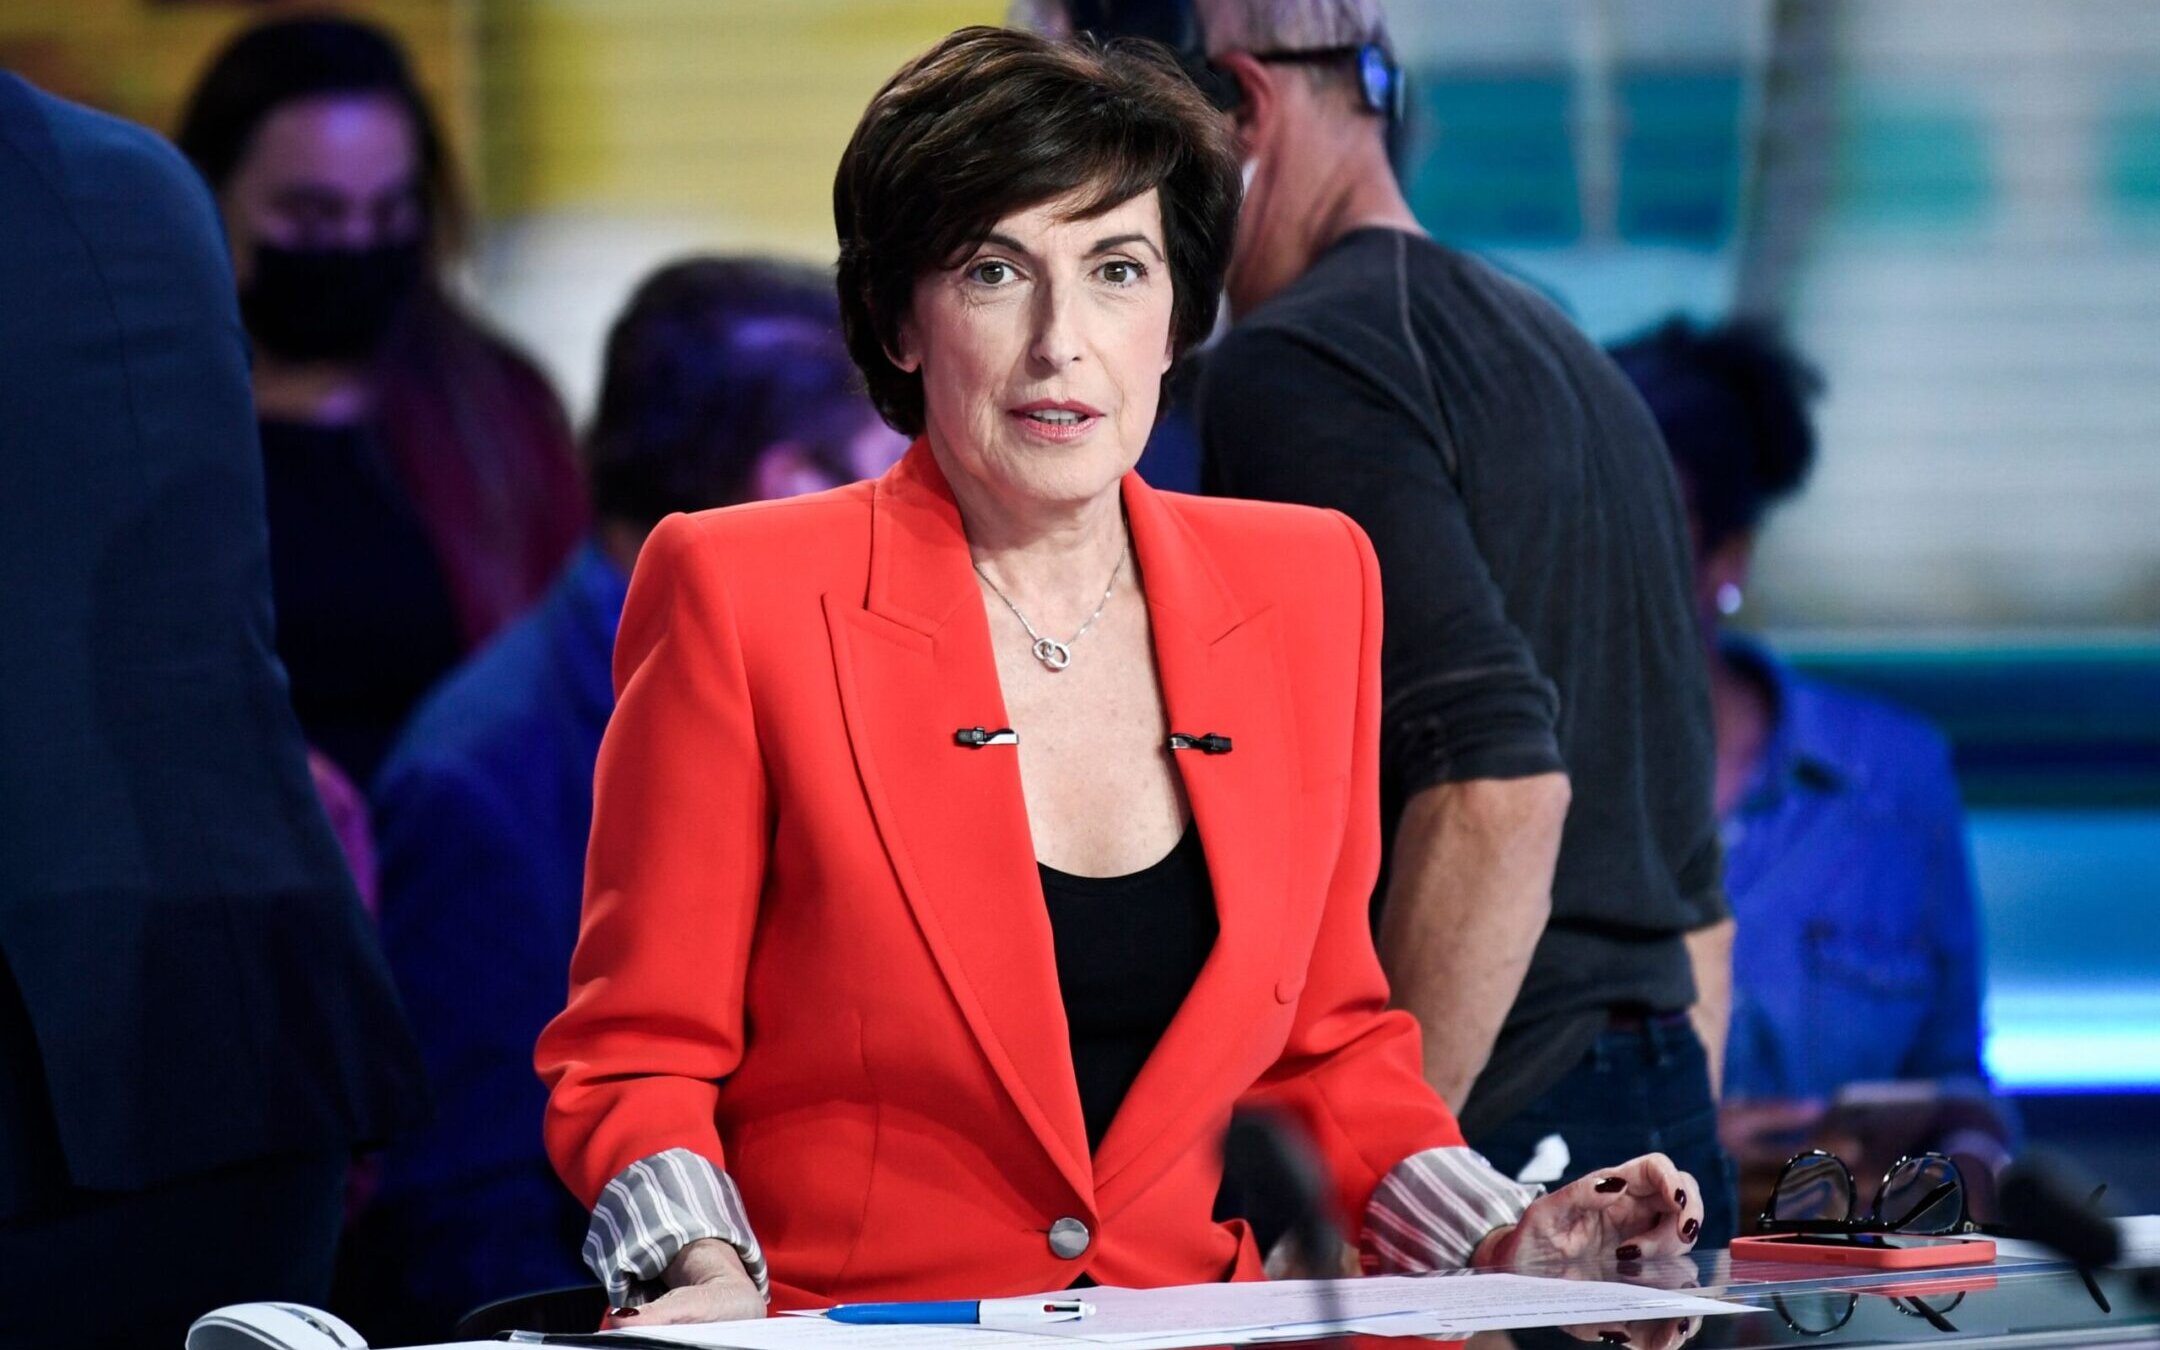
x: 1221, y: 673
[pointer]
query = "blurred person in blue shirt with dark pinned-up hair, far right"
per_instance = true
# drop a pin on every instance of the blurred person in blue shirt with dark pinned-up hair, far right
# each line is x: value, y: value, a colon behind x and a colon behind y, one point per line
x: 1857, y: 958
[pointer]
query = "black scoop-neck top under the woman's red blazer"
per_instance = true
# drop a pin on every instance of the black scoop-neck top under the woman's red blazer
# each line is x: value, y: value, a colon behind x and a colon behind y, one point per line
x: 1129, y: 954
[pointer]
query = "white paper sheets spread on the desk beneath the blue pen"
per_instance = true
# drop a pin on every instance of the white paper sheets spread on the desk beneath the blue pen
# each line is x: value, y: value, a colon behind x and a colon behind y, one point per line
x: 1247, y: 1314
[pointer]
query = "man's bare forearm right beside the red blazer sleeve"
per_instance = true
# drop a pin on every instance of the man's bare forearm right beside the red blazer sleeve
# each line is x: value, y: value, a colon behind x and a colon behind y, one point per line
x: 1468, y: 902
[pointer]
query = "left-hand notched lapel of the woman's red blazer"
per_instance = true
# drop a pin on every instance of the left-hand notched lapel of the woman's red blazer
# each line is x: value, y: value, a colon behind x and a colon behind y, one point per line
x: 915, y: 666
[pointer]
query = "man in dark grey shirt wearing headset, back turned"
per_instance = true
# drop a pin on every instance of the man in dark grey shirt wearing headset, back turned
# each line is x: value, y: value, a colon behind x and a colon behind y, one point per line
x: 1552, y: 910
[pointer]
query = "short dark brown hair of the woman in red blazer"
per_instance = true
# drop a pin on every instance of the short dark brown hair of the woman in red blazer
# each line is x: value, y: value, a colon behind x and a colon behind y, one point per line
x: 995, y: 122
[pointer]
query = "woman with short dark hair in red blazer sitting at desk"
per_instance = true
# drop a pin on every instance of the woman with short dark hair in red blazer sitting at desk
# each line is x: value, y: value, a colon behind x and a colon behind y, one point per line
x: 973, y: 843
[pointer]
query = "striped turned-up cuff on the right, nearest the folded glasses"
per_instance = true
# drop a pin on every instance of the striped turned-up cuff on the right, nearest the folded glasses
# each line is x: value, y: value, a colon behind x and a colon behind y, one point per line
x: 1435, y: 1209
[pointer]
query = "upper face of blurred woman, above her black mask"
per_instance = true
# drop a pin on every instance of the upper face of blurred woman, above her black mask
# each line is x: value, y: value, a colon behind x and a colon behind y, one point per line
x: 334, y: 172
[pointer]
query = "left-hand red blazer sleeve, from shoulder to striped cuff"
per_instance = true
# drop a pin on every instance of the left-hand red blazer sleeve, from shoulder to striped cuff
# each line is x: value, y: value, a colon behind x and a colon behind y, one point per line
x: 673, y: 878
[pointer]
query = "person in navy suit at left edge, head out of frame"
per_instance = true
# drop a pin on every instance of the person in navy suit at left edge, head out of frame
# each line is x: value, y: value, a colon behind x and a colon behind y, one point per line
x: 195, y: 1023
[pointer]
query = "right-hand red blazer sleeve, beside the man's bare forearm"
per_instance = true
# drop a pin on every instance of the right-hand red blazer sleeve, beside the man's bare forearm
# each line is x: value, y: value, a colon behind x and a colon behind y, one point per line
x: 1353, y: 1070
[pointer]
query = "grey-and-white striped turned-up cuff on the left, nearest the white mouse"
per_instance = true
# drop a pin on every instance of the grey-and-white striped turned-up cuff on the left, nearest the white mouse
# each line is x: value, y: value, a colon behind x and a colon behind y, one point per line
x: 656, y: 1209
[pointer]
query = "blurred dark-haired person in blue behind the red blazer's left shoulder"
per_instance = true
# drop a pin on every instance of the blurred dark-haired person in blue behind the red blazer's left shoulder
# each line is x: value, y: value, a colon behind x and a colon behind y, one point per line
x: 725, y: 381
